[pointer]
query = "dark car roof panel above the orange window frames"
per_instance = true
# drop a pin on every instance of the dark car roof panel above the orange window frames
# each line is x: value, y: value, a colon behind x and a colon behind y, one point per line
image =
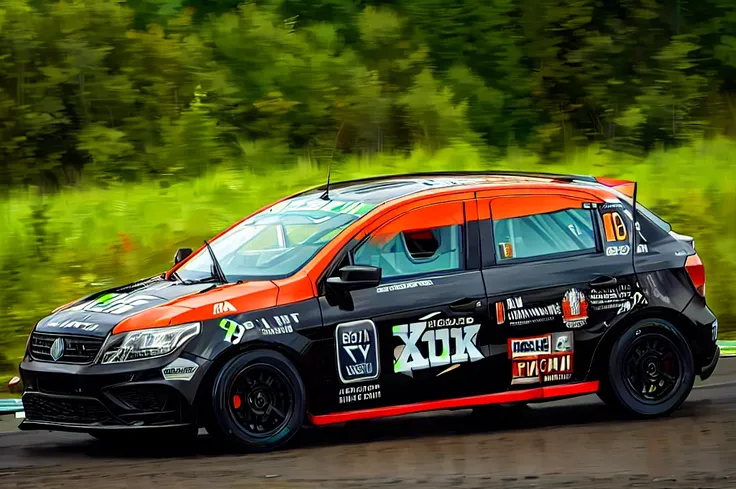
x: 376, y: 190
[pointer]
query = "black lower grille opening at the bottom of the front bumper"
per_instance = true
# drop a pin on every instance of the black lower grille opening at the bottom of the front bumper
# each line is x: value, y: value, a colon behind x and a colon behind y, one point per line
x: 64, y: 410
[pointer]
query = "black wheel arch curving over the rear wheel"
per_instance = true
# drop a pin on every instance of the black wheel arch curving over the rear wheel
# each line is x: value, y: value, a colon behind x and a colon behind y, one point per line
x: 683, y: 325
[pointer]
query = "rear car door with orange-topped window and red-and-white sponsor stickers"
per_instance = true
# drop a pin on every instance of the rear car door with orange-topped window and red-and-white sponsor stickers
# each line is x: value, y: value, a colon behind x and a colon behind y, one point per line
x: 557, y: 270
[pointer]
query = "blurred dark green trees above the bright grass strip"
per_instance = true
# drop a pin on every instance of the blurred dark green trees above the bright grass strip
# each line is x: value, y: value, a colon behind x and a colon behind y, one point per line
x: 108, y: 90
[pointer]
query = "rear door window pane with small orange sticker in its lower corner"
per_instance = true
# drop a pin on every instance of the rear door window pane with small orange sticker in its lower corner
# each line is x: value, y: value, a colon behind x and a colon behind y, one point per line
x: 540, y: 235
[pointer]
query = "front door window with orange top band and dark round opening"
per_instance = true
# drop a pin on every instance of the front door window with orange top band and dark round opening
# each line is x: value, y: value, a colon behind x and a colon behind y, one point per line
x: 426, y: 240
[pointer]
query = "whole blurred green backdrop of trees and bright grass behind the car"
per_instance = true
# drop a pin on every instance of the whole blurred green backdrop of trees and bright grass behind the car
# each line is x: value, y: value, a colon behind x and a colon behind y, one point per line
x: 131, y: 128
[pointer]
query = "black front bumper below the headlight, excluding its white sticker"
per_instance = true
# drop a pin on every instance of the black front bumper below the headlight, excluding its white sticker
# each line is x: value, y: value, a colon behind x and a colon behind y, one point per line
x: 88, y: 398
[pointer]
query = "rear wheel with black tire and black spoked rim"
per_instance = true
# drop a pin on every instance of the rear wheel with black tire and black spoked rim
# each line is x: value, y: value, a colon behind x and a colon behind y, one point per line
x: 651, y: 370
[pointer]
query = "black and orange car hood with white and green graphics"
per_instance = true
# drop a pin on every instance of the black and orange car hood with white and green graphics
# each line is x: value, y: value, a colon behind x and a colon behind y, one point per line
x: 153, y: 302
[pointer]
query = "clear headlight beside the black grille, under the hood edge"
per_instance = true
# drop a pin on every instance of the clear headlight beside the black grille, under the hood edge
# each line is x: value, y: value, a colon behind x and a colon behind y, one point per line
x: 147, y: 343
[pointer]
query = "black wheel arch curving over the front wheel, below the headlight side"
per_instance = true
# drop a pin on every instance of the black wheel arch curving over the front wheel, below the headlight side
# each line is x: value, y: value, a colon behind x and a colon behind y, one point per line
x: 203, y: 396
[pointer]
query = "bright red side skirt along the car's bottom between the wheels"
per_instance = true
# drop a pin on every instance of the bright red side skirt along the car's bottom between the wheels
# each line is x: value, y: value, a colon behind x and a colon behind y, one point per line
x: 536, y: 394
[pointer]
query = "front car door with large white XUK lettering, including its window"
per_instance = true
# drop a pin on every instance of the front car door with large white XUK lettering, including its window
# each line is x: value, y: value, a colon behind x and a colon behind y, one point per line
x: 419, y: 335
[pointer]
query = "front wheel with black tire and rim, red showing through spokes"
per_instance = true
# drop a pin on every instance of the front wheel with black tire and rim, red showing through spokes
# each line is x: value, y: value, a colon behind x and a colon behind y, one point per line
x: 258, y: 401
